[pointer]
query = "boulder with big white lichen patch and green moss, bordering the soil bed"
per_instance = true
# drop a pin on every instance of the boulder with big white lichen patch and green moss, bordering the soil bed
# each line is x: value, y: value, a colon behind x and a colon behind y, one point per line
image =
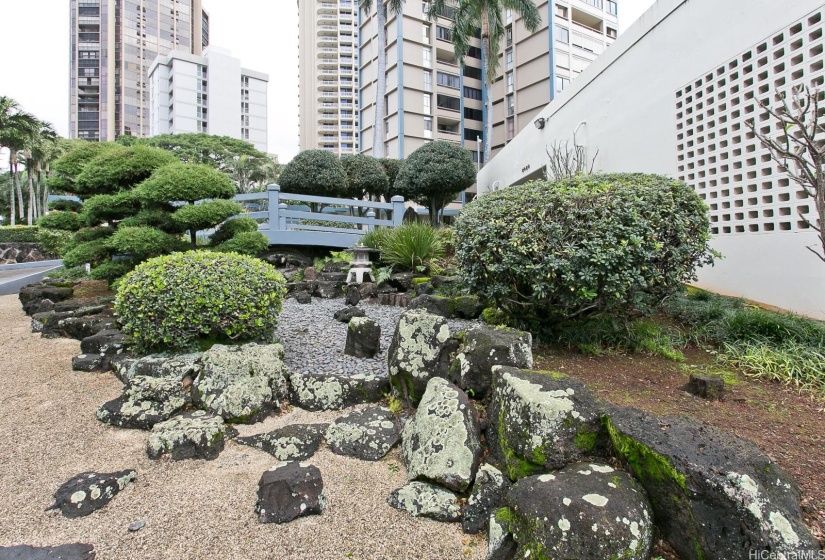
x: 540, y: 421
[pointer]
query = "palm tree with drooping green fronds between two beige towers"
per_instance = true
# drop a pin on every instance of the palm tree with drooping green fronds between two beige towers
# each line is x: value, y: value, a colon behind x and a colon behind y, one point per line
x: 469, y: 15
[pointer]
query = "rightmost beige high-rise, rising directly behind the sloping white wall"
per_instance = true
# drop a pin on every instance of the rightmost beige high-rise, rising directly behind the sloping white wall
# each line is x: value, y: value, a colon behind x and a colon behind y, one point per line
x: 535, y: 67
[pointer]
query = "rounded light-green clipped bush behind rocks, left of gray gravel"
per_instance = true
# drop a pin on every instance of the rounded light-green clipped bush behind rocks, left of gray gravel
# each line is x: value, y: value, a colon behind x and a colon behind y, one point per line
x: 181, y: 300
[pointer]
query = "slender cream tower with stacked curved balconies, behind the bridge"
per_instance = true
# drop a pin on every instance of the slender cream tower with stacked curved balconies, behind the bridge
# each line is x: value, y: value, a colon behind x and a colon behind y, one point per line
x: 328, y: 68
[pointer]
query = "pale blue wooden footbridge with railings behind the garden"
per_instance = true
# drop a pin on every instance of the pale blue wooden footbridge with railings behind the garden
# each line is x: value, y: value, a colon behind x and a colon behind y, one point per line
x: 286, y: 217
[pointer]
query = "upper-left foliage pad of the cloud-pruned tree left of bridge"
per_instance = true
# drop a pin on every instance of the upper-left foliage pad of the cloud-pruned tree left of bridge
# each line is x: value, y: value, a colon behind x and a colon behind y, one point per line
x: 120, y: 168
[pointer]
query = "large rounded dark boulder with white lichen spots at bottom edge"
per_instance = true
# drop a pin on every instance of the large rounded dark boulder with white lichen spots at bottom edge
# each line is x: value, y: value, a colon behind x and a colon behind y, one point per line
x: 582, y: 511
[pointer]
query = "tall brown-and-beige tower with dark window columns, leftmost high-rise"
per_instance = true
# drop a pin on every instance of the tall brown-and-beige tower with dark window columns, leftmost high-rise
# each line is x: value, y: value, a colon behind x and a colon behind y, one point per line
x: 113, y: 43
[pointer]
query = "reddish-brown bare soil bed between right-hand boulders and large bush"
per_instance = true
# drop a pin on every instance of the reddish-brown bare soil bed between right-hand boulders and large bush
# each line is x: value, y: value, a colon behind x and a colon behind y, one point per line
x: 788, y: 426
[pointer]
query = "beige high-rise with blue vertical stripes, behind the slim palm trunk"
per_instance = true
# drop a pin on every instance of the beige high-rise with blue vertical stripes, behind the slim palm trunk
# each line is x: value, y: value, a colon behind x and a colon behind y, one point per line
x: 429, y: 95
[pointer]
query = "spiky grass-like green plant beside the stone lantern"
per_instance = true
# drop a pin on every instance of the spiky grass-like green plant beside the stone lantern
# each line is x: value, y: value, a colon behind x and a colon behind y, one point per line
x: 413, y: 246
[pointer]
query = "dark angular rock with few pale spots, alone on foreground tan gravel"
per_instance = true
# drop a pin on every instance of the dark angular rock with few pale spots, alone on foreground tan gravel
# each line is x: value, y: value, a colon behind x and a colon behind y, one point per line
x: 289, y: 491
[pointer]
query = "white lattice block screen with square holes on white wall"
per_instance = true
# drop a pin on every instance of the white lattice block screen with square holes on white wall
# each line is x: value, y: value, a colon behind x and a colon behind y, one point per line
x: 718, y: 154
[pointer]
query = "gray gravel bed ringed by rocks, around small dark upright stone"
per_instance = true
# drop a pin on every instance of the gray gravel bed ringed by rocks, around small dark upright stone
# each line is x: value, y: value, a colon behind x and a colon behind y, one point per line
x: 314, y: 341
